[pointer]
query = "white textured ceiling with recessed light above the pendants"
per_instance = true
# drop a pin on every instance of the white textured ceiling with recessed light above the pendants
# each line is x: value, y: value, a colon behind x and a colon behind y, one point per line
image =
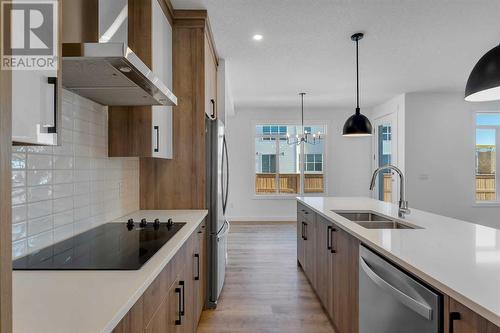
x: 409, y: 45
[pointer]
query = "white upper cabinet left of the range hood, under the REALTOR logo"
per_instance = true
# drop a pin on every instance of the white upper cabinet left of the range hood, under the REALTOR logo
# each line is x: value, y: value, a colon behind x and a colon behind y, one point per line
x: 35, y: 90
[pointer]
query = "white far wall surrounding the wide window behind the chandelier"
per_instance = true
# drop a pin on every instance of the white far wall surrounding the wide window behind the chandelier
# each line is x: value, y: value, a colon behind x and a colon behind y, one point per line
x: 348, y: 167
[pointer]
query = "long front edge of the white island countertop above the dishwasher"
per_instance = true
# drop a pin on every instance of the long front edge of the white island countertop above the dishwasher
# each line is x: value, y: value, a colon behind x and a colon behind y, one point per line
x: 474, y: 306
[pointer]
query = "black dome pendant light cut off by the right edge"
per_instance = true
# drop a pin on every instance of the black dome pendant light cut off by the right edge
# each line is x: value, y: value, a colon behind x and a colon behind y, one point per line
x: 484, y: 80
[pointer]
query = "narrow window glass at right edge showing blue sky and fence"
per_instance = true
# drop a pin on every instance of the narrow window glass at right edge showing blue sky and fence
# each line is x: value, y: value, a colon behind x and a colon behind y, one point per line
x: 487, y: 127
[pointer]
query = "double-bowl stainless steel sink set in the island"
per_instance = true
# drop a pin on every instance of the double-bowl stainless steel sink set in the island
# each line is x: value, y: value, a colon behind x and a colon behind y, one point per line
x: 372, y: 220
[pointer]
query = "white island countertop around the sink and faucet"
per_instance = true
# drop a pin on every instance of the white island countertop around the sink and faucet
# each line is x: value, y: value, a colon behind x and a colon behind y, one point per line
x: 459, y: 258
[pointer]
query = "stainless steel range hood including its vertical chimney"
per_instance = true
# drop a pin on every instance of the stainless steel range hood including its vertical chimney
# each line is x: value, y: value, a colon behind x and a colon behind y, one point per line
x: 109, y: 72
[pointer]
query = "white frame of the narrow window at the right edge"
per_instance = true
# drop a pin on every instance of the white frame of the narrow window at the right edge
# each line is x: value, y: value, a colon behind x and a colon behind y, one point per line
x: 495, y: 202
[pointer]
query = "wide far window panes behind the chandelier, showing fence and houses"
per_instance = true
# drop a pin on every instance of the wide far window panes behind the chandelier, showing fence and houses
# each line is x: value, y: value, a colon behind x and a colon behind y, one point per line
x: 288, y: 169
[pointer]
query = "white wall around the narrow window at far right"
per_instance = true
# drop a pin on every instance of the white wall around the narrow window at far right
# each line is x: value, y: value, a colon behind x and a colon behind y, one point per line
x: 440, y: 139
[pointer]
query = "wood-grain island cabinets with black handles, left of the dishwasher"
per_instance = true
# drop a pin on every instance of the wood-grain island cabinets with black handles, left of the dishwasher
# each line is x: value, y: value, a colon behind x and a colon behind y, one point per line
x: 329, y: 257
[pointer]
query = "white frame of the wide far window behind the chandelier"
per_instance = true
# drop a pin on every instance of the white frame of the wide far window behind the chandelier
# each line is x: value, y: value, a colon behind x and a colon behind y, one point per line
x: 289, y: 196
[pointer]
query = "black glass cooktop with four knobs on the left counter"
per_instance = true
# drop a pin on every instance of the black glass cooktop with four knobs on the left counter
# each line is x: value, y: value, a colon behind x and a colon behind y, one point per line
x: 111, y: 246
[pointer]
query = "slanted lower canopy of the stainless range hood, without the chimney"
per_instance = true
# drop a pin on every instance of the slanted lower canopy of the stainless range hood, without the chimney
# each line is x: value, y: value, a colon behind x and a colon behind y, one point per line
x: 111, y: 74
